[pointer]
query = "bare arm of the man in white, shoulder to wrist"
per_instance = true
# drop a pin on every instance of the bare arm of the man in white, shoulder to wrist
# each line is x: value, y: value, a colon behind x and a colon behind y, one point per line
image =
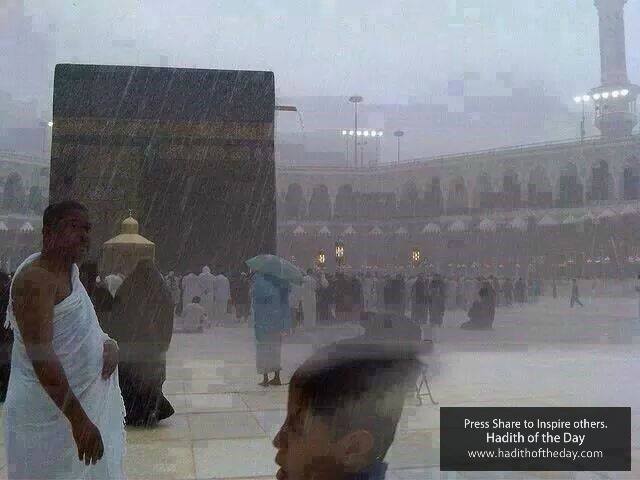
x: 33, y: 300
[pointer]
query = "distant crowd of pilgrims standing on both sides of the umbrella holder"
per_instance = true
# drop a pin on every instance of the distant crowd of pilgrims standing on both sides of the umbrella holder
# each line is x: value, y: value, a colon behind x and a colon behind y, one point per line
x: 204, y: 300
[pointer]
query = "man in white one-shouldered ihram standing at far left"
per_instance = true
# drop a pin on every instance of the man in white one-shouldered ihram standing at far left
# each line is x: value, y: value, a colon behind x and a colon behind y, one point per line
x: 64, y: 414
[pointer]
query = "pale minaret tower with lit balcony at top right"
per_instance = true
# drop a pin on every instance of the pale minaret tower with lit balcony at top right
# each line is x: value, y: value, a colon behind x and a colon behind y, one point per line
x: 615, y: 99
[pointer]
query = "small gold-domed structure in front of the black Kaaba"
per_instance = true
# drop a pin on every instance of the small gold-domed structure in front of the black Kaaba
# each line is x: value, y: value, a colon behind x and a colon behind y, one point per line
x: 122, y: 253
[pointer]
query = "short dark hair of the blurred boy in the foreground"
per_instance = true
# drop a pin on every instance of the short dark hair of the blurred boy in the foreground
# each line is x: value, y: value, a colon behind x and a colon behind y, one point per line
x: 353, y: 386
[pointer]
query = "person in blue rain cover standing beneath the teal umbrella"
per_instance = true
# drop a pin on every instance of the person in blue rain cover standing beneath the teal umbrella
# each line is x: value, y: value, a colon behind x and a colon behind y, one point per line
x: 272, y: 318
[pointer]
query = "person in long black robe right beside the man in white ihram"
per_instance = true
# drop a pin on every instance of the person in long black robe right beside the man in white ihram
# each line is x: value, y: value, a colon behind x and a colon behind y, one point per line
x: 142, y: 322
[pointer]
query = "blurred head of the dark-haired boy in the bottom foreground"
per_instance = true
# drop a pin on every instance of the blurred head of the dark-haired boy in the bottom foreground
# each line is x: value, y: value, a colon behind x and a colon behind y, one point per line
x: 343, y: 409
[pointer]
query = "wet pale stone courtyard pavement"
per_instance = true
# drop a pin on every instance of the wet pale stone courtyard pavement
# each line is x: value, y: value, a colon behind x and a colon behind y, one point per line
x: 544, y: 354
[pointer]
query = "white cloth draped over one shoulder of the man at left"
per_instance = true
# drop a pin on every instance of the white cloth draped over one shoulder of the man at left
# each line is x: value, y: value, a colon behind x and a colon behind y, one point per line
x: 38, y: 439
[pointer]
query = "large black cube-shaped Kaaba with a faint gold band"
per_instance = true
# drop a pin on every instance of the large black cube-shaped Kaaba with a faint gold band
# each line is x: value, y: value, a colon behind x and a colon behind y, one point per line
x: 189, y: 152
